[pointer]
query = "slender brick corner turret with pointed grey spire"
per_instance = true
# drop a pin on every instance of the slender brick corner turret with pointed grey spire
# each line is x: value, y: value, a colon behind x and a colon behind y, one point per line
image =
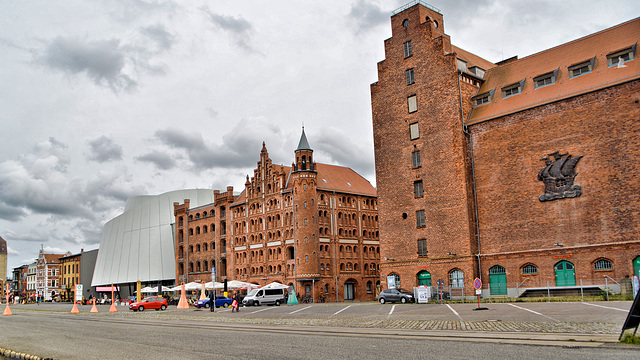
x: 304, y: 180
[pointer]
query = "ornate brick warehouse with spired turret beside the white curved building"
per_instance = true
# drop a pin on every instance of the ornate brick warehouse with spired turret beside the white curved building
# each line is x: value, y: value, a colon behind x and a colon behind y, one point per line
x: 251, y: 236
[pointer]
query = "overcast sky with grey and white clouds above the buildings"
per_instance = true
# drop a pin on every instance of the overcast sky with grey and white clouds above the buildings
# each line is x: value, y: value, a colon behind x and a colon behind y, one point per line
x: 104, y: 100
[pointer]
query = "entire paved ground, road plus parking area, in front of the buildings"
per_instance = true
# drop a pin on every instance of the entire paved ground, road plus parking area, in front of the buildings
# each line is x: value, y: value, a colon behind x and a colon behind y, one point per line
x: 323, y: 331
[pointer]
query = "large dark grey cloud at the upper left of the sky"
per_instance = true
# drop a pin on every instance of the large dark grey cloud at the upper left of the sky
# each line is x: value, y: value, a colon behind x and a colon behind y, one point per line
x: 102, y: 61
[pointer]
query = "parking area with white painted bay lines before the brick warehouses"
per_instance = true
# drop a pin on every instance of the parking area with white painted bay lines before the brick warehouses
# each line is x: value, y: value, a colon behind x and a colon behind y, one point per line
x: 614, y: 312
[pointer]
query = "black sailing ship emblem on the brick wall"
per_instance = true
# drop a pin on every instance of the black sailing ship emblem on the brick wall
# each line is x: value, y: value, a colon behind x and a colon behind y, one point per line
x: 558, y: 176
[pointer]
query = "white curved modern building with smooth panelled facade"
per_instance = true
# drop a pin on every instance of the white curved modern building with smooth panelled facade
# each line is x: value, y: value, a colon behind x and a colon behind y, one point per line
x: 138, y: 245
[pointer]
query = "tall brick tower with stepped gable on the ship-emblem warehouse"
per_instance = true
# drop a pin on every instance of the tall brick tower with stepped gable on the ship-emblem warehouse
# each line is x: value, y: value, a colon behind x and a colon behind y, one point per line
x: 425, y: 199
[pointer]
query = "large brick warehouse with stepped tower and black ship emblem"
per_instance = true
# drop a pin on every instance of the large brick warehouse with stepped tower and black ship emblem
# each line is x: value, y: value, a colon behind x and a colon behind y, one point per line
x: 523, y: 173
